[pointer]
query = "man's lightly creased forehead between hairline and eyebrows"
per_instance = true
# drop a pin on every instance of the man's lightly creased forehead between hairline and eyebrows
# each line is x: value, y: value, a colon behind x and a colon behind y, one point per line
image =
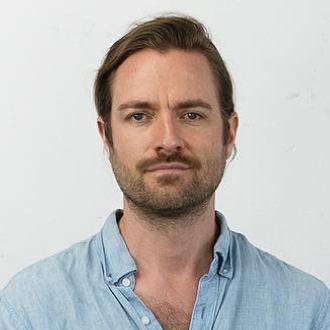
x: 175, y: 73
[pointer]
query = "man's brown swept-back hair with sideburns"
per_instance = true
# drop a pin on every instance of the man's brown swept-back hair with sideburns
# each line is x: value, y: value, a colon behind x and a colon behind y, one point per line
x: 162, y: 34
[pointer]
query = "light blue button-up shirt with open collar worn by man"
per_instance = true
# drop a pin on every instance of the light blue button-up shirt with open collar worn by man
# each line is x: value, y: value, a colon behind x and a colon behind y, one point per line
x: 91, y: 286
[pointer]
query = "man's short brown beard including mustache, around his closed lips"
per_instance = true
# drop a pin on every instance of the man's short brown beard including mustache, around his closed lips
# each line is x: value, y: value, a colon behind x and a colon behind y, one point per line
x: 170, y: 196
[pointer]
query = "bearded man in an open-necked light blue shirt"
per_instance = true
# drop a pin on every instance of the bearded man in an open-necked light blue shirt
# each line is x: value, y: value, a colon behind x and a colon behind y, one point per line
x: 168, y: 259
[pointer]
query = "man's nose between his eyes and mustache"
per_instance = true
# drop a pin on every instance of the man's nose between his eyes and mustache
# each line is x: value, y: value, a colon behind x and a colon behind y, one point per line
x: 167, y: 137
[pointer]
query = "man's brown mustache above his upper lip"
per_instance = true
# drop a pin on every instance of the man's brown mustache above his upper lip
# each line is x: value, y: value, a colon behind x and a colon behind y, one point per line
x: 144, y: 164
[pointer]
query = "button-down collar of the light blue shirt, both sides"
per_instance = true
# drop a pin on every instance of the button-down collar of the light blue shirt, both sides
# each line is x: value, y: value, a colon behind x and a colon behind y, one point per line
x: 117, y: 262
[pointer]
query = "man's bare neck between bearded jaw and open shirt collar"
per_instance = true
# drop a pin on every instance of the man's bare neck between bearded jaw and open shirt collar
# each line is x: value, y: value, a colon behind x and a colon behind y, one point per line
x: 185, y: 248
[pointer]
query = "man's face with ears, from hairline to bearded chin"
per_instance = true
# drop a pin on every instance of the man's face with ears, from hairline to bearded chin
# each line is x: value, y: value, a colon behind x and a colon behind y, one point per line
x: 167, y: 152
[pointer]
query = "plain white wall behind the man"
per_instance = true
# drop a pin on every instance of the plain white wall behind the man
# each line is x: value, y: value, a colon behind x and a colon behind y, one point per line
x: 56, y: 186
